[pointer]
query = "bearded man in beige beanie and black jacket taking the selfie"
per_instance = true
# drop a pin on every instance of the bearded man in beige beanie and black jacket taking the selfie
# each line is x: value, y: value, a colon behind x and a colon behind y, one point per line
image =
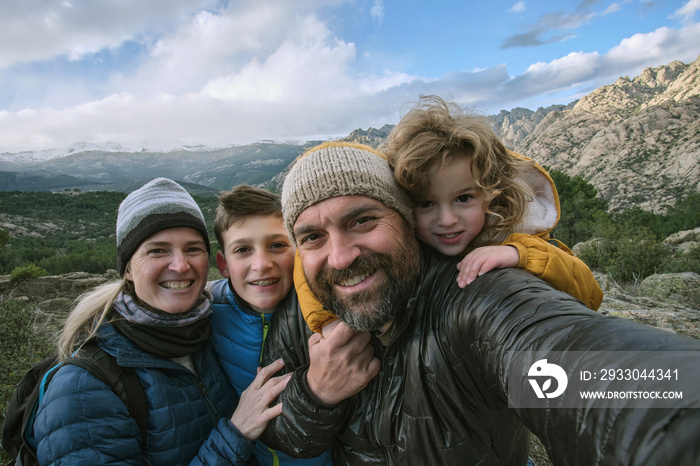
x: 445, y: 356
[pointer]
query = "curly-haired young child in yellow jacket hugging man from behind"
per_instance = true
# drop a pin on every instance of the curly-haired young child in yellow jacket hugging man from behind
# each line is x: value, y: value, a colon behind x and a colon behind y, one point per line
x: 472, y: 196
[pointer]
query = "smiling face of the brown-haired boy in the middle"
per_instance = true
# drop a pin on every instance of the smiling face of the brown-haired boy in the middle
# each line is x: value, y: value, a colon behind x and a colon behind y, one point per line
x: 258, y: 257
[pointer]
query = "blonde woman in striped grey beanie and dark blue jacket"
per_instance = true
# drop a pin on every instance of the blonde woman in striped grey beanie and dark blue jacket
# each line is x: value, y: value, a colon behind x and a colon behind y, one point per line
x: 156, y: 319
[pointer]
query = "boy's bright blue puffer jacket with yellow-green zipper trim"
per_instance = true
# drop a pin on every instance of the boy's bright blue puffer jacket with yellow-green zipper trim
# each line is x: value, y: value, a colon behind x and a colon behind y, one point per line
x: 238, y: 337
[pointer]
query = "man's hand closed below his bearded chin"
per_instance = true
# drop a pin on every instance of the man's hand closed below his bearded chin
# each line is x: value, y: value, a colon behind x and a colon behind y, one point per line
x: 341, y: 365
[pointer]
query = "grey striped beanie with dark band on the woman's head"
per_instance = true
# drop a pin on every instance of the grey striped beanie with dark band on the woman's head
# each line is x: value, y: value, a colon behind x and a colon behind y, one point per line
x: 158, y: 205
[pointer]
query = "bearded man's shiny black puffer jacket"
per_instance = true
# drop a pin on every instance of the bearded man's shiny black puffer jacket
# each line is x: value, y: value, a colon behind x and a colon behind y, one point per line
x: 440, y: 397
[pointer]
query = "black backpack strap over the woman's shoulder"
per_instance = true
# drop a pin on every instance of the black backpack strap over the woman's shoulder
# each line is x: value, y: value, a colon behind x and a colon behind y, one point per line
x: 123, y: 381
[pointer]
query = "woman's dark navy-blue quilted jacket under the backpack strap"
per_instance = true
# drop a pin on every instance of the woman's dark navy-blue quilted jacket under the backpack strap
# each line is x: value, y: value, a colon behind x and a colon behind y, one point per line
x: 81, y: 421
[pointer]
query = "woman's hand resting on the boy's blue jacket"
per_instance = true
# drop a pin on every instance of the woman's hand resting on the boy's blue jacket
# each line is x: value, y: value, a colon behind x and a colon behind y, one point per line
x: 254, y: 410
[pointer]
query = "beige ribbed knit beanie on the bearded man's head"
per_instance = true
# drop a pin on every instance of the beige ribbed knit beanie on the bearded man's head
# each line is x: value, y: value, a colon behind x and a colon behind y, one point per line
x: 336, y: 169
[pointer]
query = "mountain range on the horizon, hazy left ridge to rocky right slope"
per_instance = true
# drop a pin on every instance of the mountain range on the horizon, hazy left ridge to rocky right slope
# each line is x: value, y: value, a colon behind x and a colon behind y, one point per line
x: 637, y: 141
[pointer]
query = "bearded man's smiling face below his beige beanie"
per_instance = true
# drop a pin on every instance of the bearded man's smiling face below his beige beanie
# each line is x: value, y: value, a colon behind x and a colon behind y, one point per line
x: 349, y: 245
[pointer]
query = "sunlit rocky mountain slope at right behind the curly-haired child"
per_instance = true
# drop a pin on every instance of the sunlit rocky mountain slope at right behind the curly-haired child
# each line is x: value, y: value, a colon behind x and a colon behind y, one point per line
x: 636, y: 140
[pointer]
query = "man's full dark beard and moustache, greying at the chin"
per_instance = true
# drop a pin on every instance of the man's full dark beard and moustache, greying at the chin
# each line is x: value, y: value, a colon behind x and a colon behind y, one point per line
x: 369, y: 310
